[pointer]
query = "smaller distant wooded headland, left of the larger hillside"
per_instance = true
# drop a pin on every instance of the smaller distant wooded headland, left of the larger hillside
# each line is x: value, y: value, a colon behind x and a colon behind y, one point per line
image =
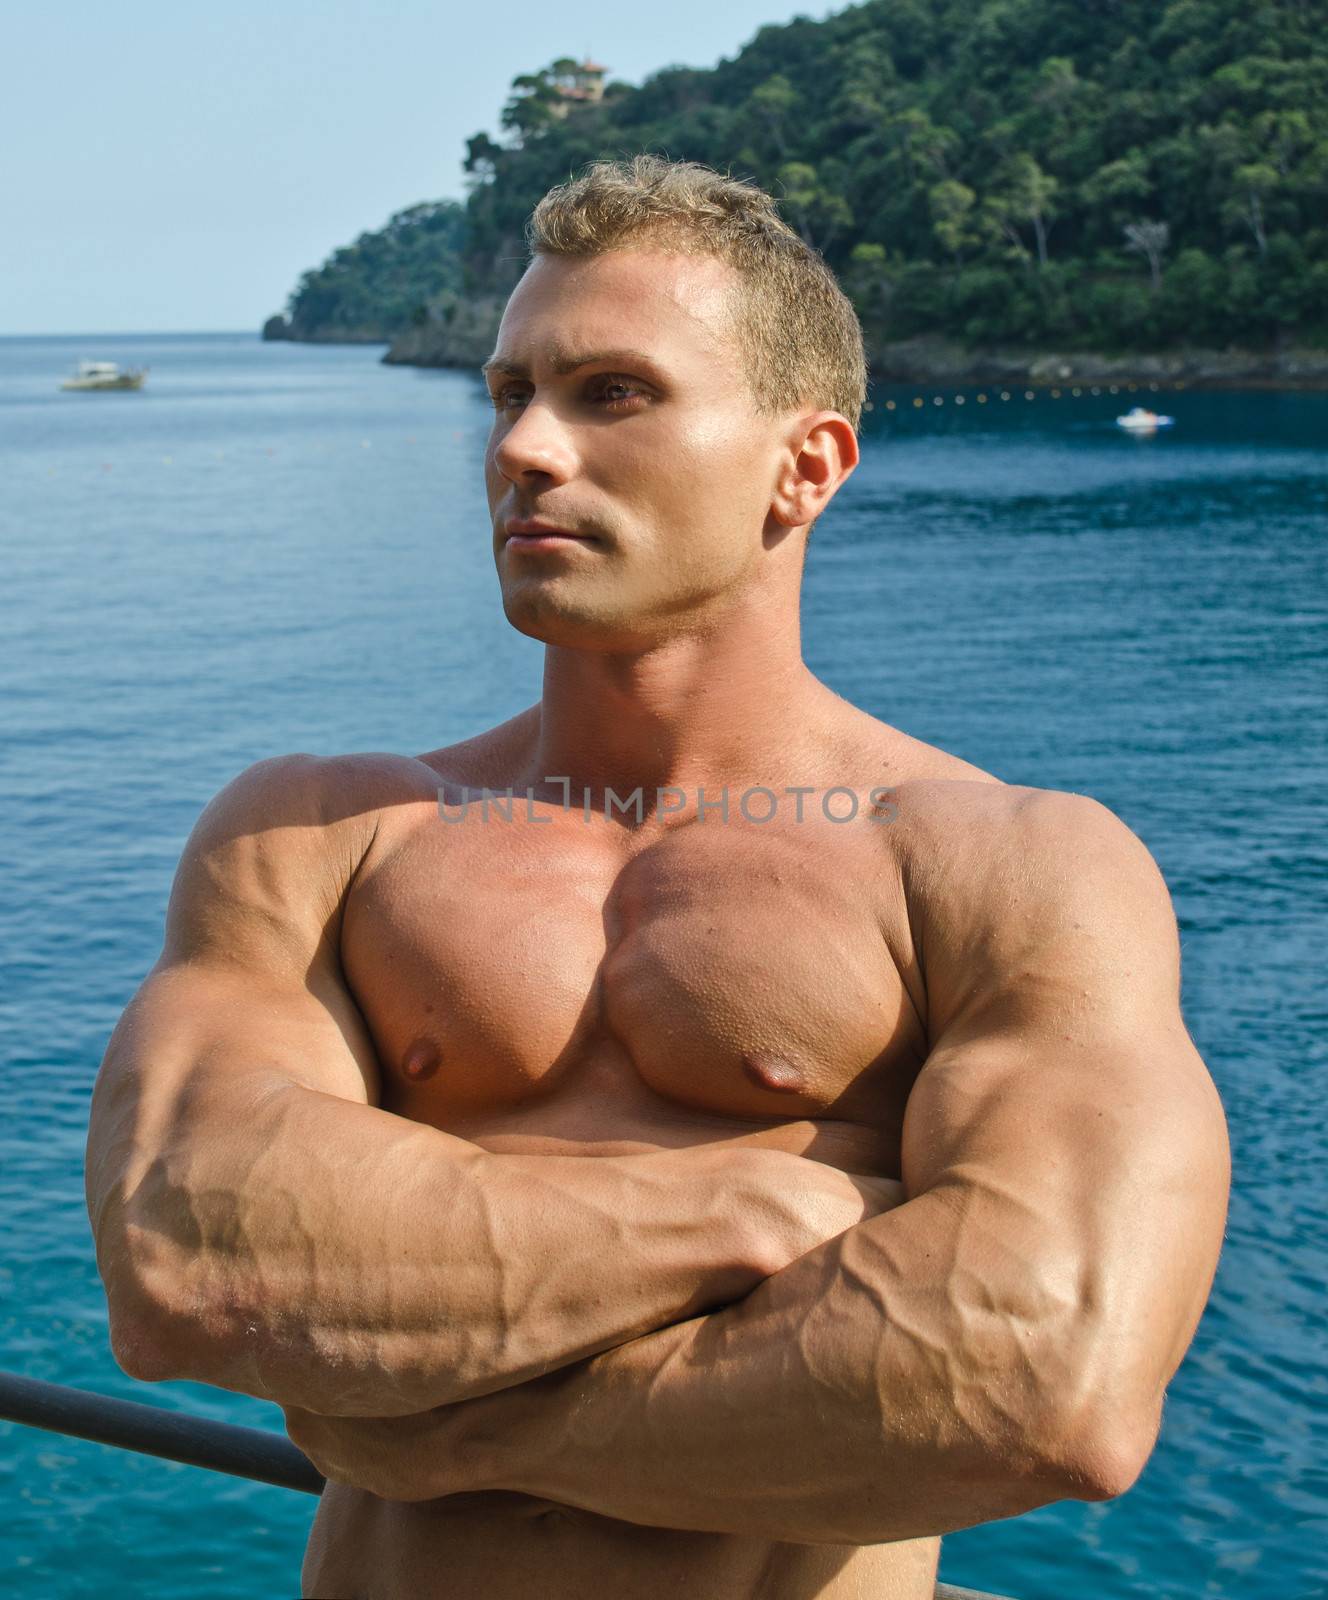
x: 375, y: 287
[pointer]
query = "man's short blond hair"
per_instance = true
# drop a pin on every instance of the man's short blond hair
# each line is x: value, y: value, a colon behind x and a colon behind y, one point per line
x: 796, y: 327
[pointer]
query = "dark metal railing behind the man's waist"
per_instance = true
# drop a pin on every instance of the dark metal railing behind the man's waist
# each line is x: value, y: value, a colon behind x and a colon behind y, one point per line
x: 194, y: 1441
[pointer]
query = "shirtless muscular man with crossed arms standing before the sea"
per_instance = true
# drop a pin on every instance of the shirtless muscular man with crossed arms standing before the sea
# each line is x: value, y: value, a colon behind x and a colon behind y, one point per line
x: 753, y: 1145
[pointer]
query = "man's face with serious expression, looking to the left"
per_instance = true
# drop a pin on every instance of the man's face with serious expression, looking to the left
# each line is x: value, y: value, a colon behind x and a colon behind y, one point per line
x: 650, y: 447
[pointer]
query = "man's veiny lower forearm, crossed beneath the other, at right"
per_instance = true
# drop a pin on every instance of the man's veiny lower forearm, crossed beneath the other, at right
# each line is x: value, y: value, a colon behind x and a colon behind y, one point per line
x: 862, y: 1396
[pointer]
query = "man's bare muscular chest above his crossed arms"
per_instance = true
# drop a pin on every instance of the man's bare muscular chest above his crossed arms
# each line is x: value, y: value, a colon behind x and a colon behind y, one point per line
x: 561, y: 983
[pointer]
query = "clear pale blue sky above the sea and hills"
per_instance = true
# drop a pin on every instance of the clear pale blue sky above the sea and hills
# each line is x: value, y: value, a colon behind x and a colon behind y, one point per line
x: 167, y: 166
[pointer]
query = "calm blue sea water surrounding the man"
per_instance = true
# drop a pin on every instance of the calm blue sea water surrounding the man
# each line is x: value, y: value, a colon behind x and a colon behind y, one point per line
x: 287, y: 550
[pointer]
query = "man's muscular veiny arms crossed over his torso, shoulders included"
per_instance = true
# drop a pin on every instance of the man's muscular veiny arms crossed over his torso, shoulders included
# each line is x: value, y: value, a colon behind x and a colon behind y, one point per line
x: 718, y: 1340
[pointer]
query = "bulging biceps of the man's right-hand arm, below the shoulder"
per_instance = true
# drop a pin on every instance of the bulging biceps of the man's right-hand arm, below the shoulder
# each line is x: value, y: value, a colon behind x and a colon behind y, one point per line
x: 1098, y: 1178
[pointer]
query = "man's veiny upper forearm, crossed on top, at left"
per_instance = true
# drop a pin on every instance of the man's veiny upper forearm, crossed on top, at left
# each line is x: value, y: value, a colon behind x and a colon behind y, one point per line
x: 334, y: 1257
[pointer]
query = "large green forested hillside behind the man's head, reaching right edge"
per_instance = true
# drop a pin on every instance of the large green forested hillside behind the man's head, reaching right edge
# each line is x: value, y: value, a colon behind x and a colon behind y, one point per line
x: 1082, y: 174
